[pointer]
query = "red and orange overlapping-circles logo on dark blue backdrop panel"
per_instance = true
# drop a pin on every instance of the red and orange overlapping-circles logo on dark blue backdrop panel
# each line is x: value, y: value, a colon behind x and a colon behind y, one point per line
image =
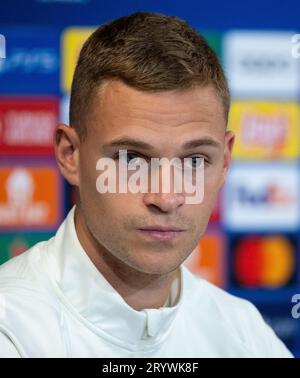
x: 267, y: 261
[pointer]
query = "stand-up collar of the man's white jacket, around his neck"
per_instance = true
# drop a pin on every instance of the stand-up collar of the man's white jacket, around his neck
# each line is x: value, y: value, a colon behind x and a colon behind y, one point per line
x: 90, y: 294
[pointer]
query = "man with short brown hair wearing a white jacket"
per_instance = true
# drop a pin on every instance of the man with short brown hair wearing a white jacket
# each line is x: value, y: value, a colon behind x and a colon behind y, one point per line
x: 111, y: 282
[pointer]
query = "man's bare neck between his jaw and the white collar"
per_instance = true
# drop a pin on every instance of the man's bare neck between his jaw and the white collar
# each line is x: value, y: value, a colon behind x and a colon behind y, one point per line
x: 138, y: 289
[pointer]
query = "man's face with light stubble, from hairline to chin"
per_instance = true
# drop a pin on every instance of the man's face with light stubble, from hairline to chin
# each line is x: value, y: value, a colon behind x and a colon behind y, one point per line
x: 165, y: 121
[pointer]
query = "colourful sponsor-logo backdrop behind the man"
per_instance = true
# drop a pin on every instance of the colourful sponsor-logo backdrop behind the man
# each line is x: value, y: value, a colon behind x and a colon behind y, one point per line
x: 251, y: 247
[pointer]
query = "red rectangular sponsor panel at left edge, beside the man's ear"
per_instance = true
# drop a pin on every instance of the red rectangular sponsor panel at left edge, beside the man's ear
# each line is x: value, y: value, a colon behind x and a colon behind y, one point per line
x: 26, y: 125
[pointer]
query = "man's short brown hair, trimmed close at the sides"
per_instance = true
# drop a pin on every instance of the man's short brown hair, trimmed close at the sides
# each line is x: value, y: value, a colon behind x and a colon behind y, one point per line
x: 147, y: 51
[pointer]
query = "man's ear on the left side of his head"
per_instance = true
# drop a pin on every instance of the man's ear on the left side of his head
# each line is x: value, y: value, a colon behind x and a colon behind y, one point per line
x: 66, y: 148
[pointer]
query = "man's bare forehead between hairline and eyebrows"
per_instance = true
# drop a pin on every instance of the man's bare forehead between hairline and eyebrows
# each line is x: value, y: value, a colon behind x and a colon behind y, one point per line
x: 118, y: 108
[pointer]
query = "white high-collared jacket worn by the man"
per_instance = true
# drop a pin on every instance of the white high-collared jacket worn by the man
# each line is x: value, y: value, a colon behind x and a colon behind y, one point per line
x: 55, y: 303
